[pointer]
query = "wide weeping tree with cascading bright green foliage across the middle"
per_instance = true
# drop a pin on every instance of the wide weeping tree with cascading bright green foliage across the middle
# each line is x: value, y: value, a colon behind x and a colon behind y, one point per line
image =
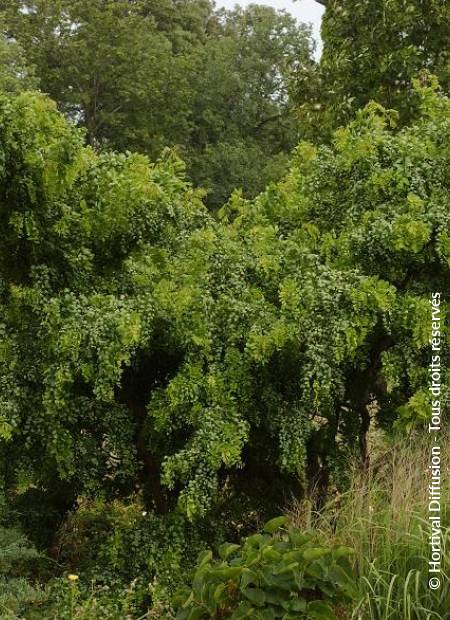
x: 147, y: 345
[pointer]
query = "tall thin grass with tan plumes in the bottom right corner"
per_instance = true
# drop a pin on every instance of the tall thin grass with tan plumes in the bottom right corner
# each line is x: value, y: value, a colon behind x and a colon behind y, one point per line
x: 384, y: 517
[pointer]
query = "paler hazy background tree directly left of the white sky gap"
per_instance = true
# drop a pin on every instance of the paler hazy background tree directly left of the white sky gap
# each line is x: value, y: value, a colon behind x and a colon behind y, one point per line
x: 244, y: 123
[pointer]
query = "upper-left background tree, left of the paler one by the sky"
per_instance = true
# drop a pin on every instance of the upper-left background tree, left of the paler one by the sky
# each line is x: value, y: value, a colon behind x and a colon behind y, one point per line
x: 110, y: 68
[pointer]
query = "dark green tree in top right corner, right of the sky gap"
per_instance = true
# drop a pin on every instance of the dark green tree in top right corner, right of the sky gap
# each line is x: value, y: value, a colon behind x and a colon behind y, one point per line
x: 372, y: 50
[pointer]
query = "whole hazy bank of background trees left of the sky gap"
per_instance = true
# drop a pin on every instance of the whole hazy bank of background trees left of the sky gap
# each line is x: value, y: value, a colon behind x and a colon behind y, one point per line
x: 146, y: 75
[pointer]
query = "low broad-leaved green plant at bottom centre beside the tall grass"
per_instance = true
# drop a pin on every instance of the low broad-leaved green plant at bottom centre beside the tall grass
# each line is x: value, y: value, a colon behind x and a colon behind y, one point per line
x: 275, y: 574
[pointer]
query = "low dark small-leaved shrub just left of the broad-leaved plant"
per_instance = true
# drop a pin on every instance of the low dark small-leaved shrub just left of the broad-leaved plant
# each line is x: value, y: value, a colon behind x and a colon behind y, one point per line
x: 122, y: 546
